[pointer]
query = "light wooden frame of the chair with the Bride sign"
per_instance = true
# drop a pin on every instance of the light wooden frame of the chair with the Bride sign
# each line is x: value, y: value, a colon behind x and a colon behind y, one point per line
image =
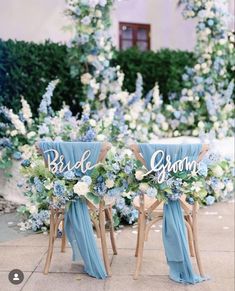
x: 100, y: 216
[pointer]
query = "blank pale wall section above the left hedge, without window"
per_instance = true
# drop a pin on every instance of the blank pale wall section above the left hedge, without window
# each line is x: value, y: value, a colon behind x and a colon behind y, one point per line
x: 33, y: 20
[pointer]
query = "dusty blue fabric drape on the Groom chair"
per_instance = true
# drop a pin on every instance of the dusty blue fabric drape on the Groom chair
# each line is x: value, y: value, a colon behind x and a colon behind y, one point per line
x: 174, y: 232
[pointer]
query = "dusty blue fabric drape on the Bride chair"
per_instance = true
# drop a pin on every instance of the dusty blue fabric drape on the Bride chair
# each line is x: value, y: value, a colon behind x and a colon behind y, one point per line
x: 78, y: 227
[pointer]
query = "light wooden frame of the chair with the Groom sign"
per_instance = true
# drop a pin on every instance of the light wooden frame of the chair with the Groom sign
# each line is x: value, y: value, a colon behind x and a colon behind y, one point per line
x: 151, y: 210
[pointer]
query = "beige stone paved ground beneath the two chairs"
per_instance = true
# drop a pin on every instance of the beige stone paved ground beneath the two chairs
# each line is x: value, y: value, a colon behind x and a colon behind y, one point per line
x: 216, y: 227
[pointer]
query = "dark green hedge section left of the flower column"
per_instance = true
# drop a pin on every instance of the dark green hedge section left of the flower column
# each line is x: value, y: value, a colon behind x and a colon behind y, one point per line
x: 26, y: 68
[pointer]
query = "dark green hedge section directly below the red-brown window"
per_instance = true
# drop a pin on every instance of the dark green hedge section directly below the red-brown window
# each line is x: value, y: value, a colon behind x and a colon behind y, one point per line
x: 164, y: 66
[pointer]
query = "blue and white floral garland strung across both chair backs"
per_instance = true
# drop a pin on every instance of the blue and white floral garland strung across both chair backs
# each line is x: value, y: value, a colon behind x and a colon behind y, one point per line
x: 120, y: 177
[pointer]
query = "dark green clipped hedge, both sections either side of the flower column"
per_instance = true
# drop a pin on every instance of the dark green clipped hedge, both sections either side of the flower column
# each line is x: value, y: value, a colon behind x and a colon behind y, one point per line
x: 26, y: 68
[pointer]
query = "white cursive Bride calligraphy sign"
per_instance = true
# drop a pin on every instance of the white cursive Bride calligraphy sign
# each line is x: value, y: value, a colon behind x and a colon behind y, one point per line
x: 57, y: 164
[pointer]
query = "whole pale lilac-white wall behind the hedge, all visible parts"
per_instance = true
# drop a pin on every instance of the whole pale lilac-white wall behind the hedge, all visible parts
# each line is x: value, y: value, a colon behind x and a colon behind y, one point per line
x: 38, y: 20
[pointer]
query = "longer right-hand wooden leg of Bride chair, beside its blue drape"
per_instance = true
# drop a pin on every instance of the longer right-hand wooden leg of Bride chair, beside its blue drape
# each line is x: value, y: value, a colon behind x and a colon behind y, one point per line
x: 103, y: 238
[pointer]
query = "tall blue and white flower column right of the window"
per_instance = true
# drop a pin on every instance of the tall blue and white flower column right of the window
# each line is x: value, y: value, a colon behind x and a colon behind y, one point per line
x: 206, y: 101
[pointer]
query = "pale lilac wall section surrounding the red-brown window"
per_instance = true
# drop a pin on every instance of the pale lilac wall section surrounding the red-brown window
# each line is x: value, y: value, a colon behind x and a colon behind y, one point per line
x: 168, y: 28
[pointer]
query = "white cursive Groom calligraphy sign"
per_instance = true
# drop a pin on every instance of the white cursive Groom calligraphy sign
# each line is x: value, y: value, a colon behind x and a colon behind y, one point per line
x: 175, y: 167
